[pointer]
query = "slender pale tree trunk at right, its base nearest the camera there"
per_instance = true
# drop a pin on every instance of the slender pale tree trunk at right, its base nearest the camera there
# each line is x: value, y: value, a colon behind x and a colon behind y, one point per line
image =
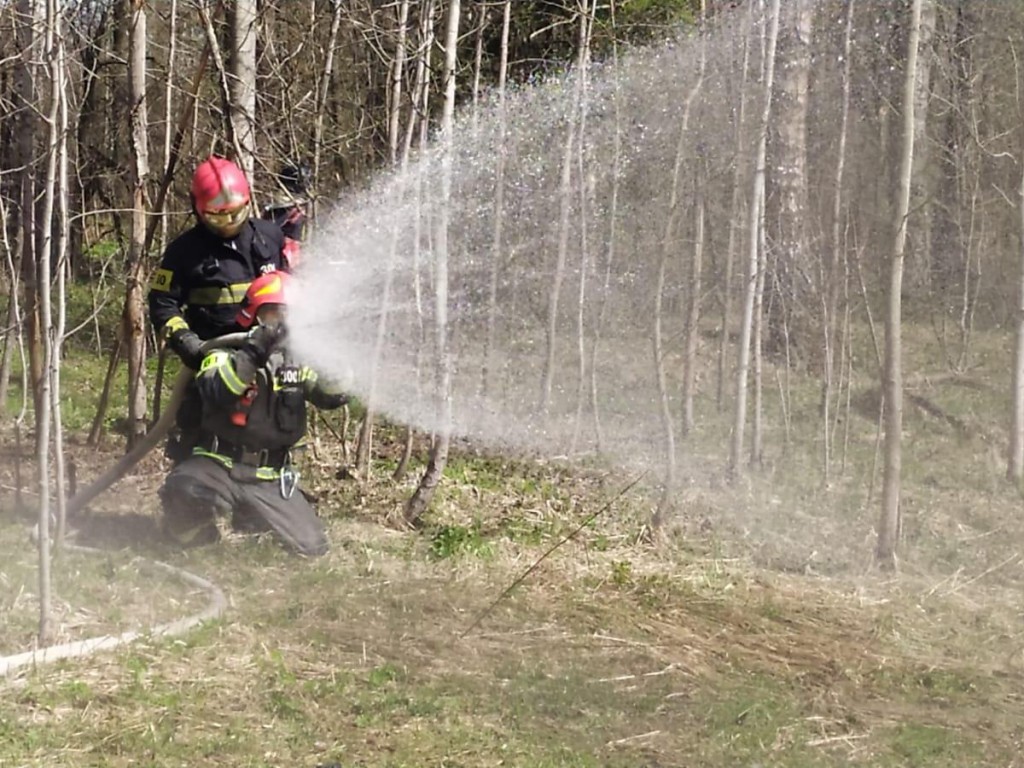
x: 889, y: 520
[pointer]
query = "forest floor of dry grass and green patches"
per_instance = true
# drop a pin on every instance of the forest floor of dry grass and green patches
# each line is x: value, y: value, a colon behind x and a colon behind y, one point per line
x: 756, y: 634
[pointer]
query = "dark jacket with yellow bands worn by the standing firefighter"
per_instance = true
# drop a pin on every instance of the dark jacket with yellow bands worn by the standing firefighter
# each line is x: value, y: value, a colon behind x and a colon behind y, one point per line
x: 202, y: 279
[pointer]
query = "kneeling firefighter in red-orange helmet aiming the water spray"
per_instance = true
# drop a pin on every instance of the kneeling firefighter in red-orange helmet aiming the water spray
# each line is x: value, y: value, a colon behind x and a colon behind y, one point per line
x: 253, y: 404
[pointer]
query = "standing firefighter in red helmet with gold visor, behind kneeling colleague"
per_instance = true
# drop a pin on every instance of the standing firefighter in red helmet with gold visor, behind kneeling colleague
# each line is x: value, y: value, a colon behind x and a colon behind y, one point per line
x: 205, y: 272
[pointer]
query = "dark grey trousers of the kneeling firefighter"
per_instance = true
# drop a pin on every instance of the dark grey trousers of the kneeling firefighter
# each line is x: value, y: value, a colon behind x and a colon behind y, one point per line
x: 200, y: 489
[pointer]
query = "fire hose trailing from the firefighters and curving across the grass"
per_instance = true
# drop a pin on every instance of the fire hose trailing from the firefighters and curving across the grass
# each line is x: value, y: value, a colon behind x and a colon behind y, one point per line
x: 217, y: 604
